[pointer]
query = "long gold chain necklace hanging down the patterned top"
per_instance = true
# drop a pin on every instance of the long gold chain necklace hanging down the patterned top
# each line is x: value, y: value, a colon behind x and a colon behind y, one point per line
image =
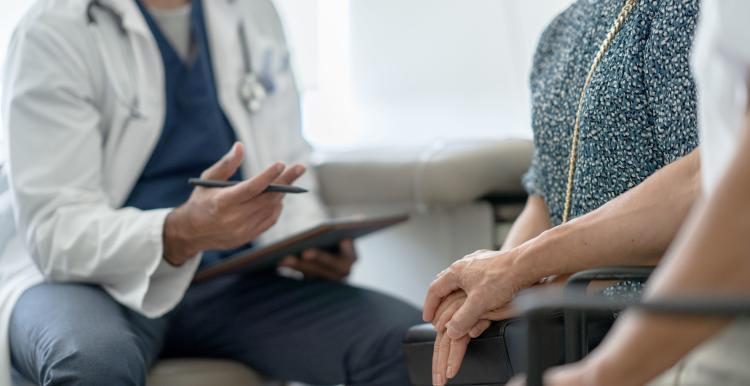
x: 627, y: 9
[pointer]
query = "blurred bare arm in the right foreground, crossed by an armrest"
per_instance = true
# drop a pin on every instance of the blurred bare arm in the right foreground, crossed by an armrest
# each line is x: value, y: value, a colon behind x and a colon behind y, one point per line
x: 710, y: 256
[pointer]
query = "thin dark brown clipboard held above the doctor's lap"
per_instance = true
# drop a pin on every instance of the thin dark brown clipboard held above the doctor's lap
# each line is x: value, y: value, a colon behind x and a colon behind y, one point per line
x: 327, y: 235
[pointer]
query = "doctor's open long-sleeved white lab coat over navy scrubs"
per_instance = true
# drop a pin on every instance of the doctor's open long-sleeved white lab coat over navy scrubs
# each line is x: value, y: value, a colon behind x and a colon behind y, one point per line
x: 72, y: 155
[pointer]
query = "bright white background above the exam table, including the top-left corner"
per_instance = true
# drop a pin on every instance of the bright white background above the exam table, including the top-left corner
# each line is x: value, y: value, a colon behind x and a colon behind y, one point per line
x: 416, y: 70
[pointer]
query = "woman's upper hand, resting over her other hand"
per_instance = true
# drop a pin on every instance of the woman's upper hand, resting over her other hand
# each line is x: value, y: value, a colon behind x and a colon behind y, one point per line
x: 488, y: 278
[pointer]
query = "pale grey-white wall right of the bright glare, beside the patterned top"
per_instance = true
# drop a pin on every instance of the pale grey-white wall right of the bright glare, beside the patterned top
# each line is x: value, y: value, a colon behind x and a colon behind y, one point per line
x: 444, y: 68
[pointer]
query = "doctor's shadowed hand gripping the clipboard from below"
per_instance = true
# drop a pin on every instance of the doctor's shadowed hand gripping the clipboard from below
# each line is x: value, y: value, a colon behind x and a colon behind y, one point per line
x: 319, y: 264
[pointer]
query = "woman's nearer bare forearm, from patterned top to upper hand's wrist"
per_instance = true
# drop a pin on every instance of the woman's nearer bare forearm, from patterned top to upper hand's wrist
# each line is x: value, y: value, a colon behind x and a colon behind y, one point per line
x: 633, y: 229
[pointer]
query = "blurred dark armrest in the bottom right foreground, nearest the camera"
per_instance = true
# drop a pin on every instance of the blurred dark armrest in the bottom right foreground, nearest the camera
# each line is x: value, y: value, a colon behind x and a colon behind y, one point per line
x: 537, y: 306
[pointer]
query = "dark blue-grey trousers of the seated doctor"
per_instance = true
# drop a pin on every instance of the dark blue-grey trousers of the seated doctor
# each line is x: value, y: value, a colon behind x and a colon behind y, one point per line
x: 310, y: 331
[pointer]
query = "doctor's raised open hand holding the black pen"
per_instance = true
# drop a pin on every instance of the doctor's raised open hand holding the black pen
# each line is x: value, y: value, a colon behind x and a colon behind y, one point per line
x: 225, y: 218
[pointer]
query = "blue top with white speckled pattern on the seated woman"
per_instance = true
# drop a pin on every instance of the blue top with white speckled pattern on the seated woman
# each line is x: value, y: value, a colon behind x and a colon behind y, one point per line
x: 640, y: 110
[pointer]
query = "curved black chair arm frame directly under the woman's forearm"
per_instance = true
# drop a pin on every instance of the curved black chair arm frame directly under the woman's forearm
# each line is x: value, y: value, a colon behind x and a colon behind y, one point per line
x: 576, y: 337
